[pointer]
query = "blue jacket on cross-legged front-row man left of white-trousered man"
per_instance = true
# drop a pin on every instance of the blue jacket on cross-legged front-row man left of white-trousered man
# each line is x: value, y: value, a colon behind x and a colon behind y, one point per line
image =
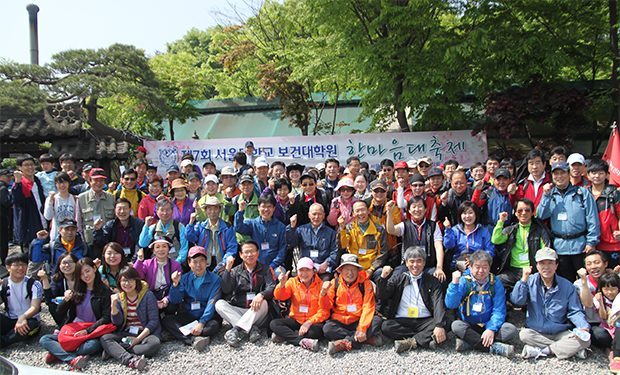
x: 209, y: 292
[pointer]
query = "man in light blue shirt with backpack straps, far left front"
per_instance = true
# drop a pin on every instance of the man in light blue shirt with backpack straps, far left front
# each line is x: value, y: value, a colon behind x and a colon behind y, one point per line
x: 21, y: 296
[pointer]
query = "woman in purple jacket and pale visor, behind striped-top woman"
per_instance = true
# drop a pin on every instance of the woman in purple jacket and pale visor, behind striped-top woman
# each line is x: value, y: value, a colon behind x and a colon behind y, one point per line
x: 157, y: 272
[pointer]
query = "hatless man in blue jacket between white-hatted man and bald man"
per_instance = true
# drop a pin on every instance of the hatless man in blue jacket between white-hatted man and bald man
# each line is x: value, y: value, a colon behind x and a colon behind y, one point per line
x: 270, y: 233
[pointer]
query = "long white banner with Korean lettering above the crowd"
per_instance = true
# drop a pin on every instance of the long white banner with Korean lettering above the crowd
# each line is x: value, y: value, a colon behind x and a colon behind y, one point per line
x: 441, y: 146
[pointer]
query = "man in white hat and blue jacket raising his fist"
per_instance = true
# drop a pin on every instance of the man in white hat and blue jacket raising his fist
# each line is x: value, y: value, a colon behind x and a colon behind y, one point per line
x: 217, y: 237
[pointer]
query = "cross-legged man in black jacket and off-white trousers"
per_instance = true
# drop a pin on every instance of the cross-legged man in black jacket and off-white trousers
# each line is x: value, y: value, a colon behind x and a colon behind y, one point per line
x: 247, y: 289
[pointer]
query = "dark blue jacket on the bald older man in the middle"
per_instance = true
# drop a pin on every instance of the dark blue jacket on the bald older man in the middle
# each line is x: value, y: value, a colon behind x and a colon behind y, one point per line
x: 324, y: 241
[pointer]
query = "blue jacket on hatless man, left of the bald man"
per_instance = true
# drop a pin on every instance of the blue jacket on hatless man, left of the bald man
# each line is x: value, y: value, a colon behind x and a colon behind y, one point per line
x: 272, y: 233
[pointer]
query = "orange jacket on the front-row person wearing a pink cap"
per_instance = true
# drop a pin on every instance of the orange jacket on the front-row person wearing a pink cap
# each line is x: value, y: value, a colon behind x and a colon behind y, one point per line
x: 302, y: 296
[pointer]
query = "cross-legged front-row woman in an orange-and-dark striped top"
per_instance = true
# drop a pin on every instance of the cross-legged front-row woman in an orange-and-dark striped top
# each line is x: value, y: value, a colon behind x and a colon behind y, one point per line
x: 134, y: 312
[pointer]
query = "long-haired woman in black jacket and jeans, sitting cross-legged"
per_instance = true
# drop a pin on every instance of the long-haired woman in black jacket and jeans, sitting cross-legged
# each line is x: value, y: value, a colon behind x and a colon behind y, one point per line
x: 88, y: 301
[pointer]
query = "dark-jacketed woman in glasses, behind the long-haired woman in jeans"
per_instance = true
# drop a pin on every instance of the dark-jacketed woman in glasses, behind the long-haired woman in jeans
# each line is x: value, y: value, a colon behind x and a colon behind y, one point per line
x: 63, y: 280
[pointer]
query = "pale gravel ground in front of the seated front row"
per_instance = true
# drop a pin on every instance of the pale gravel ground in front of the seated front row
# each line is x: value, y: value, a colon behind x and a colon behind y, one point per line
x: 264, y: 356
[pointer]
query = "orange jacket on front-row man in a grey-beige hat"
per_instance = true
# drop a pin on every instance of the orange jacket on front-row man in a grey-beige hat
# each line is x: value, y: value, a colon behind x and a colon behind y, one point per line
x: 338, y: 300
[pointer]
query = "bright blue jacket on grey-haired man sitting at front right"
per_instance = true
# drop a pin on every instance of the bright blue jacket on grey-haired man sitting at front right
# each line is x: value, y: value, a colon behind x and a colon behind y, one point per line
x: 493, y: 299
